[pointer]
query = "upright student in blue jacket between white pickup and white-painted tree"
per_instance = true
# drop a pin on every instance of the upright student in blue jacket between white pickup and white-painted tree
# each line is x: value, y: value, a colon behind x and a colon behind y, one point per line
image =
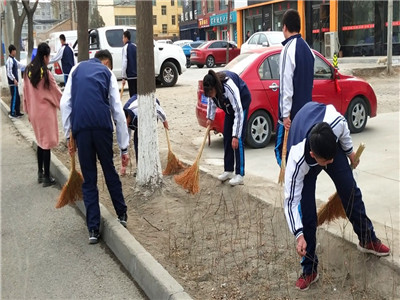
x: 129, y: 64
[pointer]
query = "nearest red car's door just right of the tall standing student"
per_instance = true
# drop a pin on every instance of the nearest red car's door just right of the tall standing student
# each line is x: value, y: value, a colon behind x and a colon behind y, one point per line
x: 325, y: 89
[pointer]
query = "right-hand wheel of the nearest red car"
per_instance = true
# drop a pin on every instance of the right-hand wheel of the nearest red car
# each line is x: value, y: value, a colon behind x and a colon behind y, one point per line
x: 357, y: 115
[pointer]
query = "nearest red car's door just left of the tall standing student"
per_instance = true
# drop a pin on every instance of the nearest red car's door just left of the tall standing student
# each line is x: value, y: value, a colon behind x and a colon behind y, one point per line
x: 268, y: 72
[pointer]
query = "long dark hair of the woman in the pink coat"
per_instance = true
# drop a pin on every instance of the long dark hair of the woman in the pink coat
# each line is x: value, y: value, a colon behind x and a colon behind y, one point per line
x: 38, y: 68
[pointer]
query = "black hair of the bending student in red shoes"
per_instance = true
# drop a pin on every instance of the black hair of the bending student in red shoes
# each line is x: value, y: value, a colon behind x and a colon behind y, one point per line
x: 323, y: 141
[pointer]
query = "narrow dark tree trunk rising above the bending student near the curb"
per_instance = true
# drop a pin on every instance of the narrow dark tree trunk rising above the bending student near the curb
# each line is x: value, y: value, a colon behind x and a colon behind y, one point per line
x: 82, y: 7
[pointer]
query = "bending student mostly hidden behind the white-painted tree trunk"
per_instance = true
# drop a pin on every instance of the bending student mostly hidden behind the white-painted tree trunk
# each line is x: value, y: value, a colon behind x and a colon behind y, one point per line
x: 131, y: 114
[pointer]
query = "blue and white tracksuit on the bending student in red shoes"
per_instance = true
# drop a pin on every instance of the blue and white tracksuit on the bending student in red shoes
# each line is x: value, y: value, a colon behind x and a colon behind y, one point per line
x: 301, y: 175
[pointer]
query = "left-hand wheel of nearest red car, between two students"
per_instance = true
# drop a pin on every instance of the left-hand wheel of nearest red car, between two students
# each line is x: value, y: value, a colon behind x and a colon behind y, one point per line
x: 259, y: 129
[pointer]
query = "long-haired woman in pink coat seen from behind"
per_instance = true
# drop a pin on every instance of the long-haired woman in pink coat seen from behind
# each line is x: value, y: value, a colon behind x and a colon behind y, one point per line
x: 41, y: 101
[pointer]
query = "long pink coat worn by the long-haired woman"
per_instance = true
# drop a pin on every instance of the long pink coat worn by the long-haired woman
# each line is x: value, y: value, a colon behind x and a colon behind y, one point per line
x: 41, y: 105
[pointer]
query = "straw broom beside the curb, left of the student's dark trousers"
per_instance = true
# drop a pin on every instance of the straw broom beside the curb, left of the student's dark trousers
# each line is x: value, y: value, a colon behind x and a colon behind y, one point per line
x: 72, y: 190
